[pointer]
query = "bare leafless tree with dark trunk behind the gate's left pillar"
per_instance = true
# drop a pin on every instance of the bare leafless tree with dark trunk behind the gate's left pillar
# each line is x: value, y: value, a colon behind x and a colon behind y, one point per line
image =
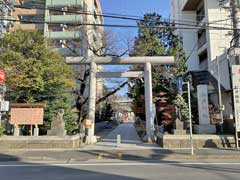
x: 109, y: 44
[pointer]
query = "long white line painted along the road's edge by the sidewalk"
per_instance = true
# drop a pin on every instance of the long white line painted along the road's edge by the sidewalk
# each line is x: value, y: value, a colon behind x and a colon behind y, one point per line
x: 112, y: 164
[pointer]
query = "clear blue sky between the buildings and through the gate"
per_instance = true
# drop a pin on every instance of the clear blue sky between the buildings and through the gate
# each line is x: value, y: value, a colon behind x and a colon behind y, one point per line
x: 129, y: 8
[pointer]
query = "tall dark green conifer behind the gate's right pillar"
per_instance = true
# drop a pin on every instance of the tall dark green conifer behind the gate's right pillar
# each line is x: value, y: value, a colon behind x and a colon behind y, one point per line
x: 156, y: 38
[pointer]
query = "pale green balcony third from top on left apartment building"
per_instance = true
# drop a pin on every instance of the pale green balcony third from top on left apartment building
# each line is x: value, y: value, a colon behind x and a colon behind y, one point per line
x: 62, y: 35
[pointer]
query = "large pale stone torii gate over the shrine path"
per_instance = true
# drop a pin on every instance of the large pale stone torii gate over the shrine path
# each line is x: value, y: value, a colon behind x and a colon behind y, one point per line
x: 147, y: 74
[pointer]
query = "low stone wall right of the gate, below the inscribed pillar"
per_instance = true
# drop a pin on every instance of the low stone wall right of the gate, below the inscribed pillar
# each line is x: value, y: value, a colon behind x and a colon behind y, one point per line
x: 199, y: 141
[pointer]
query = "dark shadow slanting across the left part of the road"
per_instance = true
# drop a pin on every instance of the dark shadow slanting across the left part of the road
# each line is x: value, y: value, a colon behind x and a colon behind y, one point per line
x: 12, y: 168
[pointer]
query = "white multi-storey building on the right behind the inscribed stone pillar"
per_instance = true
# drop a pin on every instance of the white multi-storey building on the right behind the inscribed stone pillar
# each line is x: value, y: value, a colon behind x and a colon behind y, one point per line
x: 206, y: 46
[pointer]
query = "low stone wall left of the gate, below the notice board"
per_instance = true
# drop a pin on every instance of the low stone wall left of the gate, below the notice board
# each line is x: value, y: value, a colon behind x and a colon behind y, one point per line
x: 45, y: 142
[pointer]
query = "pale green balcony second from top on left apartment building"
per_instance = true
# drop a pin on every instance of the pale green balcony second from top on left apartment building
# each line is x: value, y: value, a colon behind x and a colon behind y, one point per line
x: 70, y: 19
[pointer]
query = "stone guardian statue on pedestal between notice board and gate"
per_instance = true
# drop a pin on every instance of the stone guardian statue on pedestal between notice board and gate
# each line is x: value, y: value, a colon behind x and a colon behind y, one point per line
x: 58, y: 125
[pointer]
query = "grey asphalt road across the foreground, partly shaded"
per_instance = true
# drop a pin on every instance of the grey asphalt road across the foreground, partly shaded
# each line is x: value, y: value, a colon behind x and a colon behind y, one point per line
x: 120, y: 171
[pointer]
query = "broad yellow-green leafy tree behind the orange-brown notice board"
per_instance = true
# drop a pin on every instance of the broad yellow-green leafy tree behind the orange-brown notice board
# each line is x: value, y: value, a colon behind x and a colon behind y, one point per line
x: 37, y: 74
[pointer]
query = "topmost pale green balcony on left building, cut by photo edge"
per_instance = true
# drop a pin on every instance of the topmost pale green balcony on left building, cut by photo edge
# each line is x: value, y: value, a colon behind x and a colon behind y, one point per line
x: 64, y: 3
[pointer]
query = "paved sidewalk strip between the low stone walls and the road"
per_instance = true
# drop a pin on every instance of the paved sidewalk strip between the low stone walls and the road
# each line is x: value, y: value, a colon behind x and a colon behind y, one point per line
x: 70, y: 156
